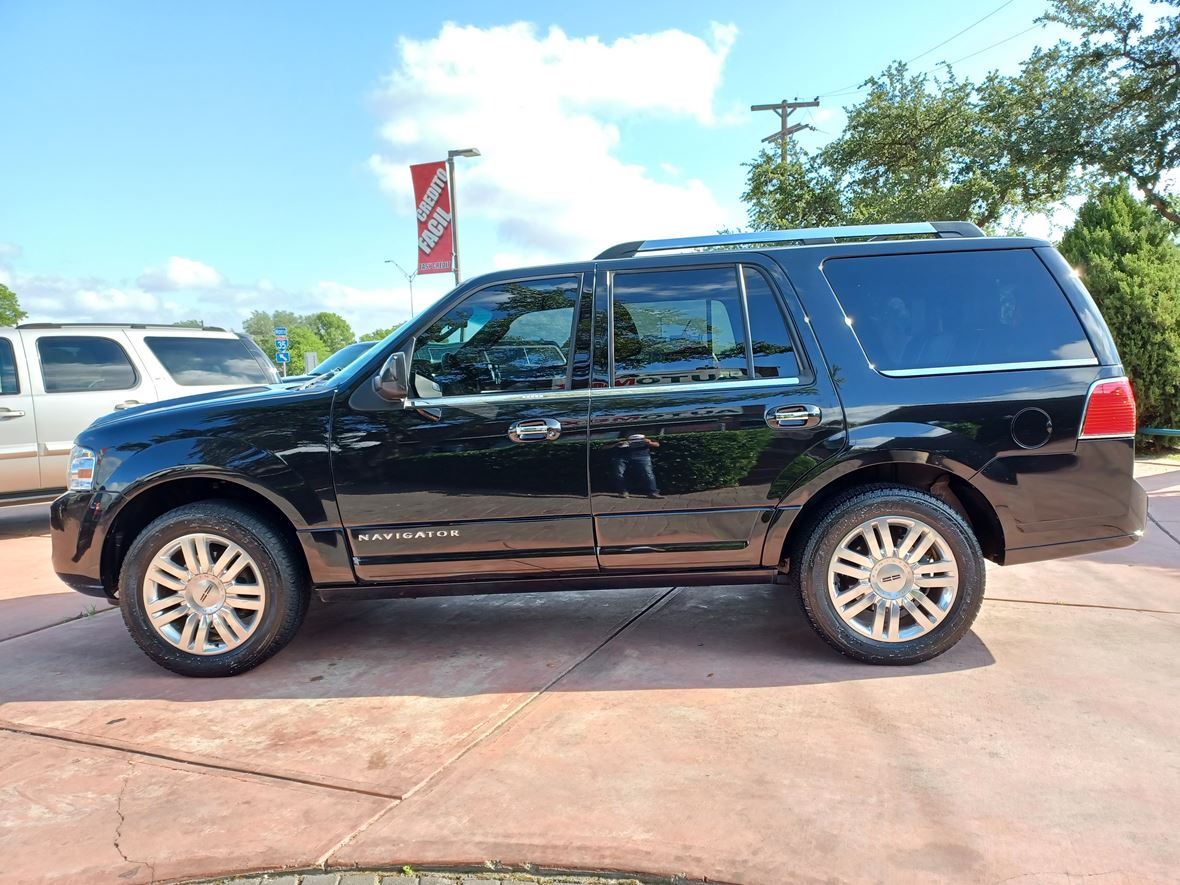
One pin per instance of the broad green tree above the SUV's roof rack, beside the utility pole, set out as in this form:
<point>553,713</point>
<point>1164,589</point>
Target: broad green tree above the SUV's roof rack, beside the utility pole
<point>916,148</point>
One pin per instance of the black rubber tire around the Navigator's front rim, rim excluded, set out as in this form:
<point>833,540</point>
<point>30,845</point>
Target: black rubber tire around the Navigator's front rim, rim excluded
<point>280,569</point>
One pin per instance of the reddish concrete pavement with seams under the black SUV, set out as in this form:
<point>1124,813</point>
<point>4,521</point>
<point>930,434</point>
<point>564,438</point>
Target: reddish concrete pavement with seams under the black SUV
<point>704,732</point>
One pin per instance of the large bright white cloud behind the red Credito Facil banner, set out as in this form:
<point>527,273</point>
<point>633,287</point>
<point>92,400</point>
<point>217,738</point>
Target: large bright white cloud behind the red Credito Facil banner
<point>546,110</point>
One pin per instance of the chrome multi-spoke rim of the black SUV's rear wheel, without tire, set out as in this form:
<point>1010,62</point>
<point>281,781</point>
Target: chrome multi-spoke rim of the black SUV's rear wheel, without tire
<point>893,579</point>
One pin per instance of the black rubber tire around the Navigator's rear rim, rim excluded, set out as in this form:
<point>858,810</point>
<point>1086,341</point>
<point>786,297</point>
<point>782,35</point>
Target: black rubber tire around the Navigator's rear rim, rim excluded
<point>814,554</point>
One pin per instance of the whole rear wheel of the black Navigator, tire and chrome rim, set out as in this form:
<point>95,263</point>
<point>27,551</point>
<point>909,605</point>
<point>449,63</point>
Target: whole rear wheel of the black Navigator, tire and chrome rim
<point>891,575</point>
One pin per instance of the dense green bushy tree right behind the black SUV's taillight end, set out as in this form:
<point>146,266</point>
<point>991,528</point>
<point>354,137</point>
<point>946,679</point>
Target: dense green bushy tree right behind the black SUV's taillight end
<point>1131,264</point>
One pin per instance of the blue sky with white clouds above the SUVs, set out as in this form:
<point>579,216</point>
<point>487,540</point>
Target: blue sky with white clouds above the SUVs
<point>172,161</point>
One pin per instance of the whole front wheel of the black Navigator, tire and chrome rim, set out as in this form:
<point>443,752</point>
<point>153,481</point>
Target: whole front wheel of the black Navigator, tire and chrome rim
<point>212,589</point>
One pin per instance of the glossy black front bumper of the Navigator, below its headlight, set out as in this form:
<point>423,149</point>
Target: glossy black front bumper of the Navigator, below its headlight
<point>77,530</point>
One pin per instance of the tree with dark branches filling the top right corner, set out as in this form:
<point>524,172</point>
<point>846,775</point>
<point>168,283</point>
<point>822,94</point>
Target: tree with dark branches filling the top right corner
<point>1130,121</point>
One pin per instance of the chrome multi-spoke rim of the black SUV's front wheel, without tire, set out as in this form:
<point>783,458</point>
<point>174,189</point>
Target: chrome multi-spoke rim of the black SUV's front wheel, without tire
<point>205,594</point>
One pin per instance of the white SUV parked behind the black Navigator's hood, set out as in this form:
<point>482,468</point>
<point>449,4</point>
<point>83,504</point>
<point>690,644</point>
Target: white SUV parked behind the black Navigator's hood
<point>57,378</point>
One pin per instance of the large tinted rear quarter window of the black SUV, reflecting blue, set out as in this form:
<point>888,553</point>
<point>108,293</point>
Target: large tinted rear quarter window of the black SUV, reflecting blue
<point>956,310</point>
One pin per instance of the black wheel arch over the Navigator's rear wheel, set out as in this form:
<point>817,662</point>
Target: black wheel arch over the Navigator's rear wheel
<point>945,480</point>
